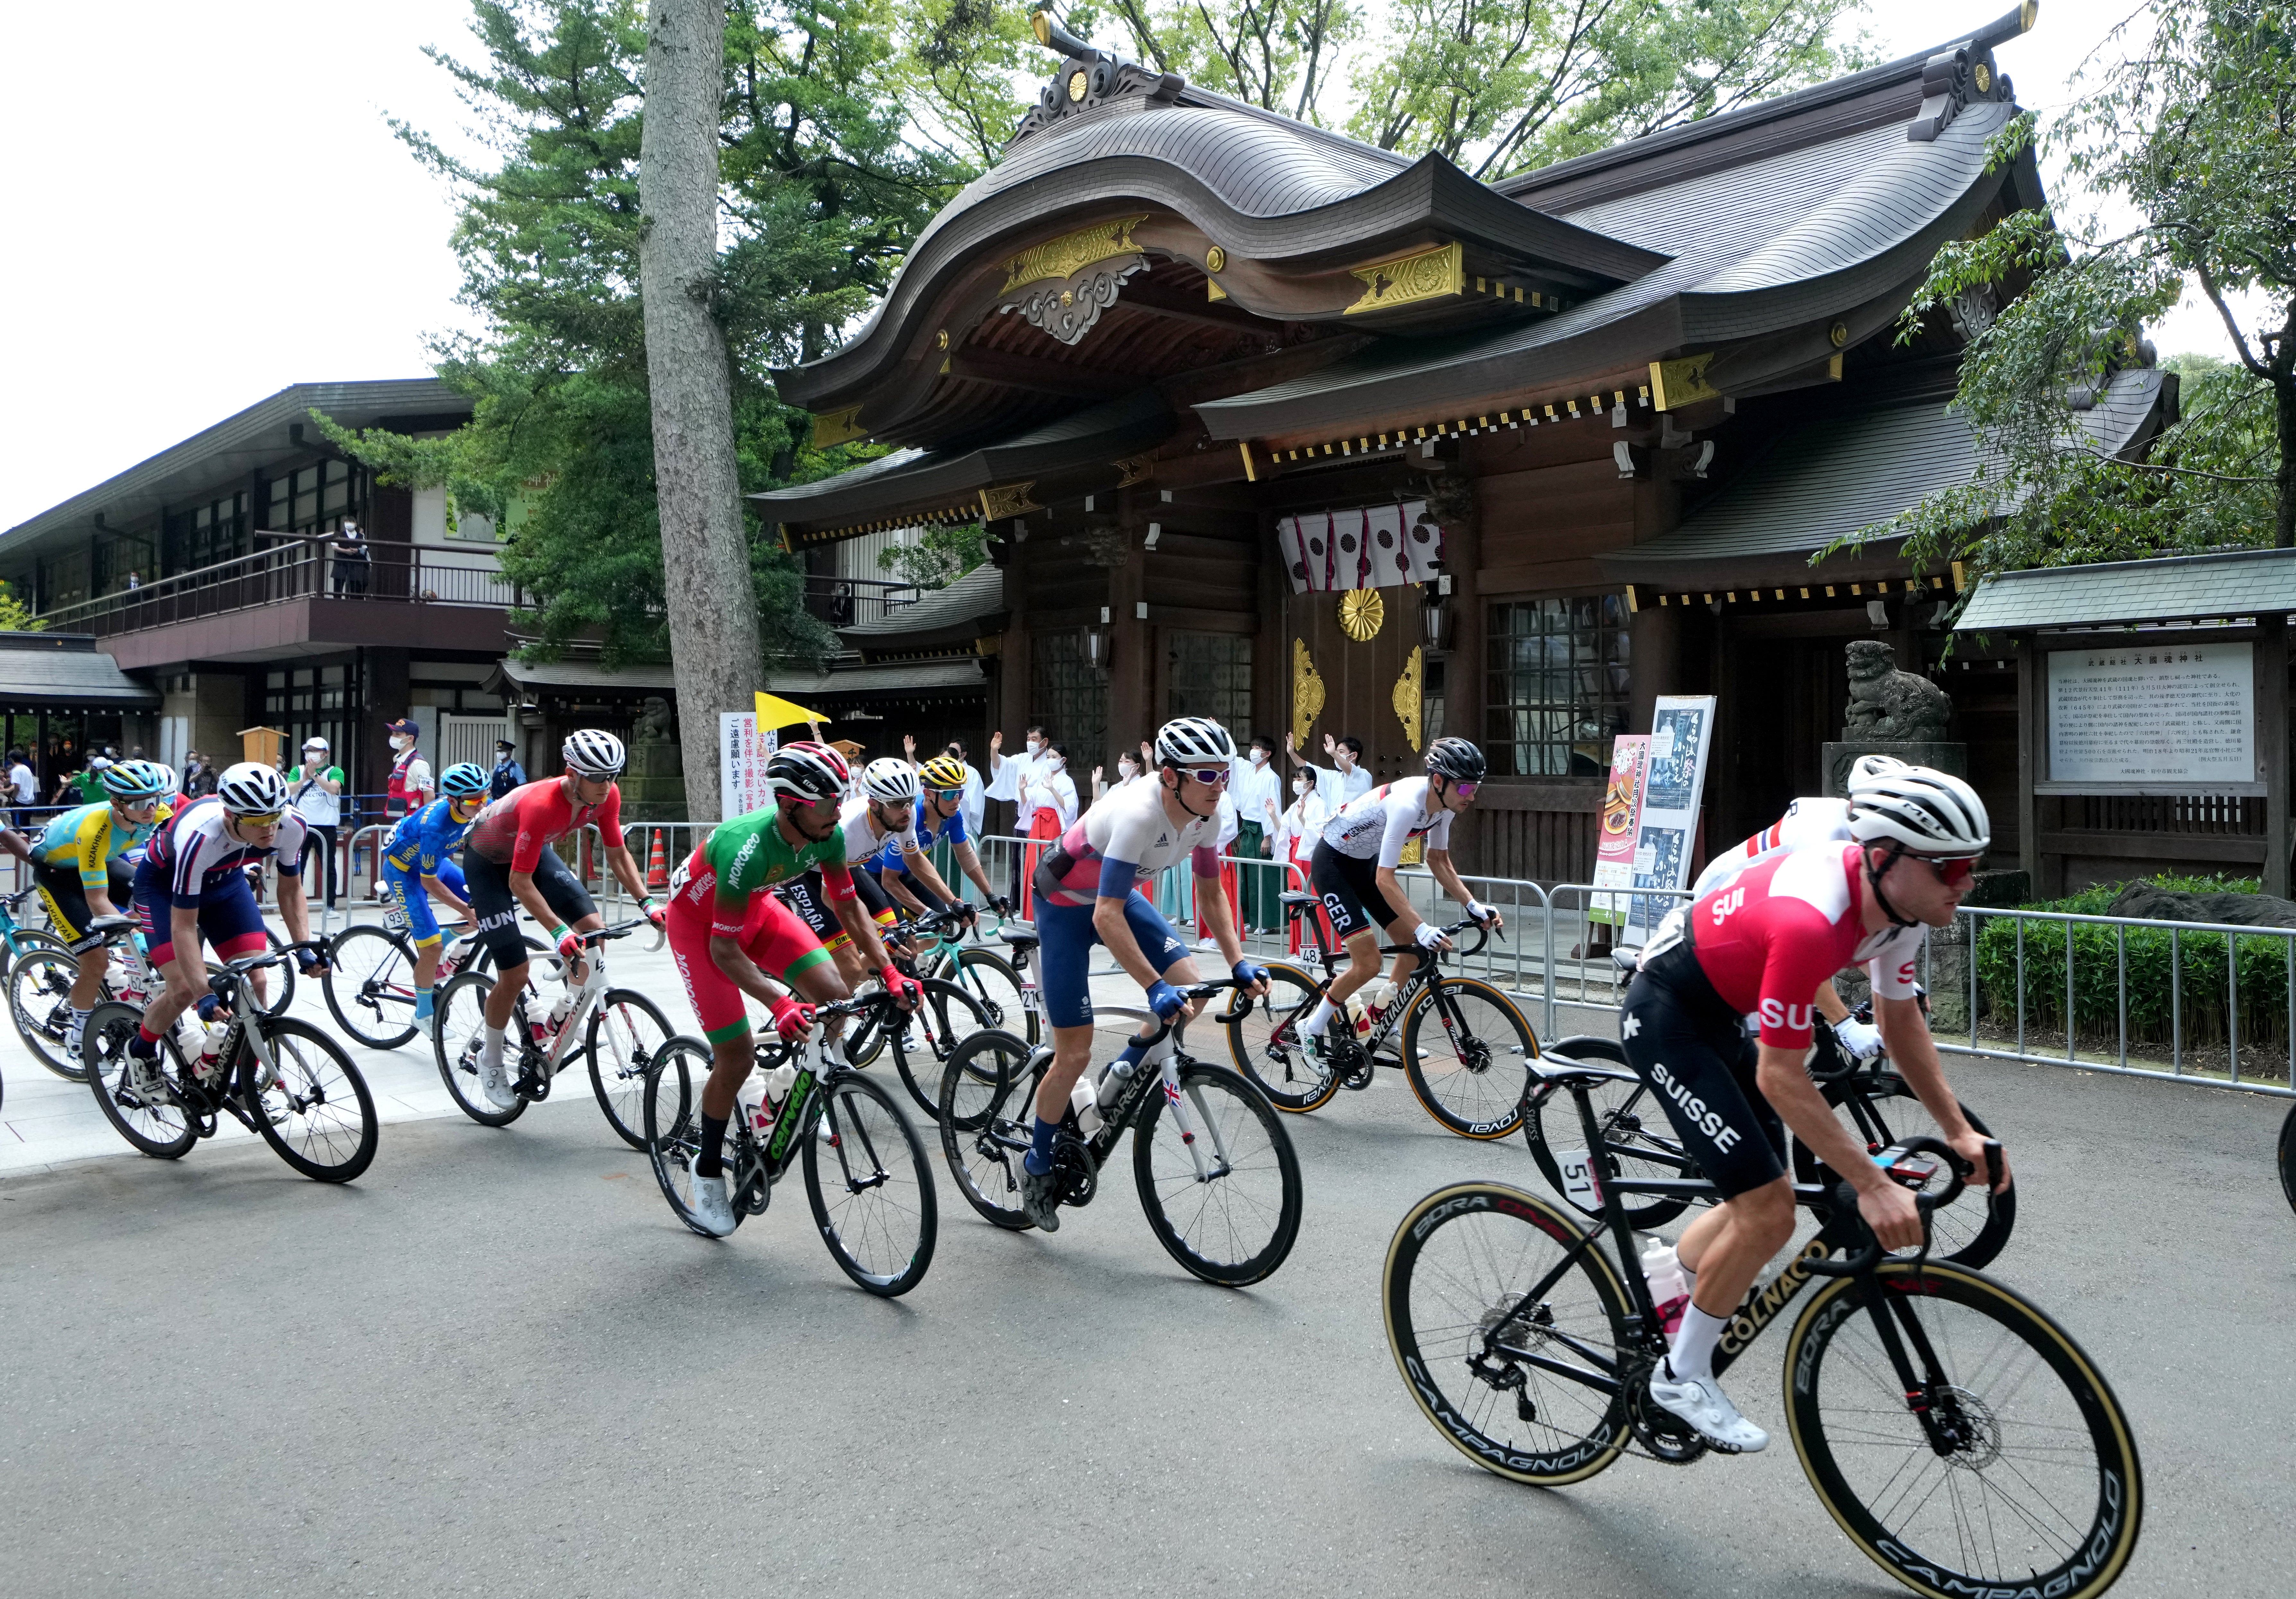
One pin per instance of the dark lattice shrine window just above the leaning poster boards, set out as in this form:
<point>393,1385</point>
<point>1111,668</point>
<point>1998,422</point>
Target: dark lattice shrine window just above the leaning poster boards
<point>1558,686</point>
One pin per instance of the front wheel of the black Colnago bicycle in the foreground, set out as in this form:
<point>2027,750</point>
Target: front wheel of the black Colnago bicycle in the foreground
<point>1999,1462</point>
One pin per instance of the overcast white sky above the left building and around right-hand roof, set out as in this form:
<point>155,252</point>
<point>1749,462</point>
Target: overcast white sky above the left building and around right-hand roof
<point>215,208</point>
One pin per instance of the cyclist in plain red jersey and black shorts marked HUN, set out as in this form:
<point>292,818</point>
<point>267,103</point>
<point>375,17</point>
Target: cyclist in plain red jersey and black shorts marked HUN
<point>509,865</point>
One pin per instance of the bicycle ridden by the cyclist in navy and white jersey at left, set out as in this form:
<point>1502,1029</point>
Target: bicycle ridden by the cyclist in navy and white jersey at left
<point>279,1076</point>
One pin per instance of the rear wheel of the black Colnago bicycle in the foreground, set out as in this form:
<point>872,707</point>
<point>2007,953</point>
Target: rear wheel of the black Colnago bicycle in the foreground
<point>1544,1405</point>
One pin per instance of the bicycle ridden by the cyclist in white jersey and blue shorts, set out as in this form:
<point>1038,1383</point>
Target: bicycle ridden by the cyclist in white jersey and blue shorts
<point>1211,1159</point>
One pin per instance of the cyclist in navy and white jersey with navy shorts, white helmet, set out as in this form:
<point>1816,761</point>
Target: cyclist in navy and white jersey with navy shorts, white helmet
<point>194,886</point>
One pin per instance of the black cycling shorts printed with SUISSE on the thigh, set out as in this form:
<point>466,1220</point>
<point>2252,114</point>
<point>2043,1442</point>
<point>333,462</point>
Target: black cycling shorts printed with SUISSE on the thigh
<point>1698,1058</point>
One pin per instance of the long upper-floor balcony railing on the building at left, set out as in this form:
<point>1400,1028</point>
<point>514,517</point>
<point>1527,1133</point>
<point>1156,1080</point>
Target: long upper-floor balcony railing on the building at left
<point>302,571</point>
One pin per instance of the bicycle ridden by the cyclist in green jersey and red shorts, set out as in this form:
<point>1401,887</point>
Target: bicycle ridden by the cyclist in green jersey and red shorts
<point>867,1173</point>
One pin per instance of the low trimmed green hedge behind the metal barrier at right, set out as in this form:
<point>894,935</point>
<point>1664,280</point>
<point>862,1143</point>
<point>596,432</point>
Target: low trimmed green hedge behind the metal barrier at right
<point>2263,973</point>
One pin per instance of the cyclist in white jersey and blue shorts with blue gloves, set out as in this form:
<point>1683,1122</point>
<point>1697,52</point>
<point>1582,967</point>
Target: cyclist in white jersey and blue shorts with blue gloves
<point>1087,893</point>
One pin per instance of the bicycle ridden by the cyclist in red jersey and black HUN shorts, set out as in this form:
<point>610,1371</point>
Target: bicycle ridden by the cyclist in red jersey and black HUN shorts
<point>619,1028</point>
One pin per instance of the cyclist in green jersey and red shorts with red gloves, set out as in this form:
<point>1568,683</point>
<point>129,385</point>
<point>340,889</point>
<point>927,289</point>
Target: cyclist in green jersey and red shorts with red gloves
<point>731,936</point>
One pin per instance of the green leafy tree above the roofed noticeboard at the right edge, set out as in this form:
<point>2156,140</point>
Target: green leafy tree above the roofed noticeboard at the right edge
<point>2189,139</point>
